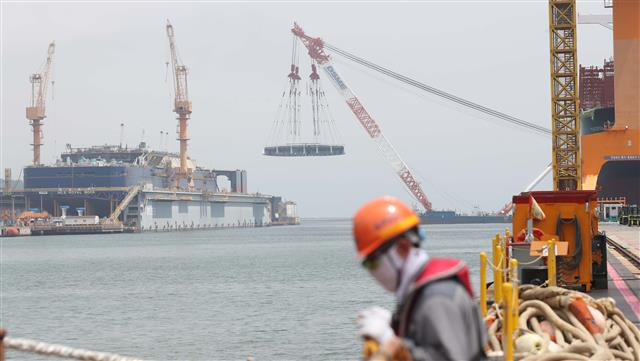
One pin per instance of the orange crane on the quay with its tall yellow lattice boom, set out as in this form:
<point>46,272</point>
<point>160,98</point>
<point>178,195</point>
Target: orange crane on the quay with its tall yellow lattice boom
<point>567,214</point>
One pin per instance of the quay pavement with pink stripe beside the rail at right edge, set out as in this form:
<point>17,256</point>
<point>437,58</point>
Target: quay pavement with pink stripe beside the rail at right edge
<point>623,258</point>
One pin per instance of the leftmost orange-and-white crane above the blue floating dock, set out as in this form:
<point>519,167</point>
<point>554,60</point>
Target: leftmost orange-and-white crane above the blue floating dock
<point>36,108</point>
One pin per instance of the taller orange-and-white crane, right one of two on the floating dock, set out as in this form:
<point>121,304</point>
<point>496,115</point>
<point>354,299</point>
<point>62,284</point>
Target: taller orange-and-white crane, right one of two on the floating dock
<point>181,104</point>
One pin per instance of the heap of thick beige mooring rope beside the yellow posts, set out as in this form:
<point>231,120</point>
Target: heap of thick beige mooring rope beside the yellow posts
<point>567,338</point>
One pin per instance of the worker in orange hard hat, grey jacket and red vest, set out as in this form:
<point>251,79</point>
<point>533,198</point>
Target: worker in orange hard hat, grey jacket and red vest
<point>436,317</point>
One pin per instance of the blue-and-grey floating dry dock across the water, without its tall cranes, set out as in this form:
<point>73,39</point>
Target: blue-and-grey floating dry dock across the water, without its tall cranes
<point>139,189</point>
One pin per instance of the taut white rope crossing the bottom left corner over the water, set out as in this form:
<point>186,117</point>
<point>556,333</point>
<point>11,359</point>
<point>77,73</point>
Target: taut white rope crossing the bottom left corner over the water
<point>43,348</point>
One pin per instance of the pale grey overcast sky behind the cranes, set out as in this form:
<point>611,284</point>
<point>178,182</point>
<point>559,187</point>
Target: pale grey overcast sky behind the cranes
<point>110,69</point>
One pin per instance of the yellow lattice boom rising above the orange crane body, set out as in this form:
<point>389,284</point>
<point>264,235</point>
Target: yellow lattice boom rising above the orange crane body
<point>564,95</point>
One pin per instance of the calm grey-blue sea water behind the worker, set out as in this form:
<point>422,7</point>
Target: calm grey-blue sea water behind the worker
<point>278,293</point>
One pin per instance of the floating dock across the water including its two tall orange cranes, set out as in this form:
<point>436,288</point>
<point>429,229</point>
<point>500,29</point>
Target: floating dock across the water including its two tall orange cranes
<point>114,188</point>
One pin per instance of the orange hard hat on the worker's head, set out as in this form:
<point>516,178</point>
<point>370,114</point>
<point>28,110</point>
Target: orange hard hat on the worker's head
<point>379,221</point>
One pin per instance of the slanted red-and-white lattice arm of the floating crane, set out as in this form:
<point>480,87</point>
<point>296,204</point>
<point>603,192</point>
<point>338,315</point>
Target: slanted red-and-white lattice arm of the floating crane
<point>316,51</point>
